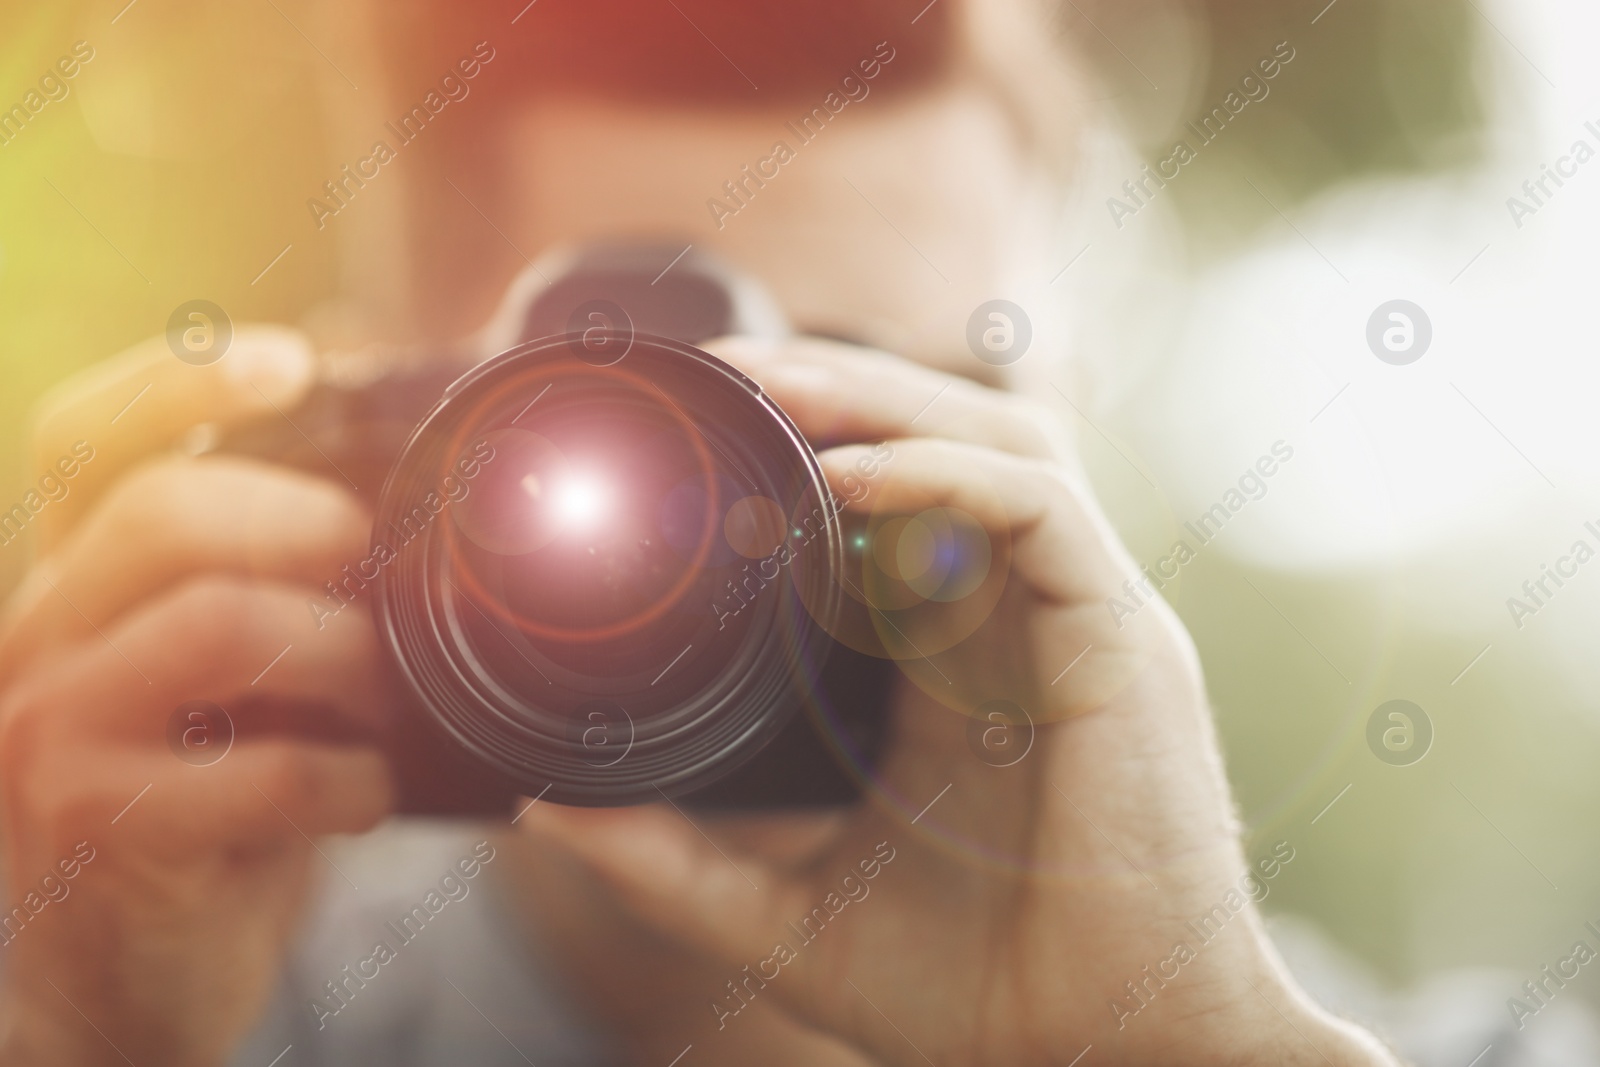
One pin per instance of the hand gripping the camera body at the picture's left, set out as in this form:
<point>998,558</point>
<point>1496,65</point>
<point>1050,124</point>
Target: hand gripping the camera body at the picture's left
<point>166,580</point>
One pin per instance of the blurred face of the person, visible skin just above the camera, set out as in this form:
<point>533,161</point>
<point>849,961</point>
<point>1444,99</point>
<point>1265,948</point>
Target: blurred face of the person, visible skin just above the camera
<point>890,226</point>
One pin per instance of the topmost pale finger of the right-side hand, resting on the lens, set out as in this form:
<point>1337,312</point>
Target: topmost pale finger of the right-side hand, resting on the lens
<point>839,393</point>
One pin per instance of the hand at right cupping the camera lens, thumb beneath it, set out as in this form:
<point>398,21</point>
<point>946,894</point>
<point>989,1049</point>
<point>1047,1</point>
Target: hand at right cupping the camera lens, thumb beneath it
<point>1010,906</point>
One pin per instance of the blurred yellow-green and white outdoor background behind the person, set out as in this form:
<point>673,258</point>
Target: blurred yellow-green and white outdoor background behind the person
<point>1223,314</point>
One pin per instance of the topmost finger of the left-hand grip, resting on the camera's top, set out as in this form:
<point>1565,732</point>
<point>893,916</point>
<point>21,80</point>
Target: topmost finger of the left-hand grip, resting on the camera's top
<point>146,399</point>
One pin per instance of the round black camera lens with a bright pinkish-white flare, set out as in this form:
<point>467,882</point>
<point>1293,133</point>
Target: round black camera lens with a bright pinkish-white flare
<point>609,581</point>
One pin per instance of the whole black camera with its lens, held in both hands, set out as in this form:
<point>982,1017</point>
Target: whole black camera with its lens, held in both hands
<point>606,567</point>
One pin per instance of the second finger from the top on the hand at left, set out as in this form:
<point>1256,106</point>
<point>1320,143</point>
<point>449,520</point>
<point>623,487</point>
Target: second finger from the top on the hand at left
<point>182,518</point>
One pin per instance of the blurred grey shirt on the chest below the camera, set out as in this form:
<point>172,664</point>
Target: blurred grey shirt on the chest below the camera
<point>455,981</point>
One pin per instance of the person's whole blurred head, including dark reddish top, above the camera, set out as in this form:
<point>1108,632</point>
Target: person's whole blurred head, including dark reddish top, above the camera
<point>838,151</point>
